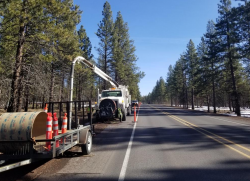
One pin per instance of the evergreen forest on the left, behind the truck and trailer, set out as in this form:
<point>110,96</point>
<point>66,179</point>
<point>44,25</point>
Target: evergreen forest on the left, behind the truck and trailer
<point>38,41</point>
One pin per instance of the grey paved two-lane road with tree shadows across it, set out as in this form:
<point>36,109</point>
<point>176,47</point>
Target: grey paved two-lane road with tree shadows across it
<point>166,144</point>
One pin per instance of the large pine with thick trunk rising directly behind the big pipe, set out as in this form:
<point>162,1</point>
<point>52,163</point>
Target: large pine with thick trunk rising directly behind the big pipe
<point>21,19</point>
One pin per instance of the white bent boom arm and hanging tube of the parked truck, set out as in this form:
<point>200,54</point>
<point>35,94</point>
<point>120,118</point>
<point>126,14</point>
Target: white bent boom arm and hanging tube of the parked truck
<point>95,70</point>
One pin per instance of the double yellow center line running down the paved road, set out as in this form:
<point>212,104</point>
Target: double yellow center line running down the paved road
<point>198,129</point>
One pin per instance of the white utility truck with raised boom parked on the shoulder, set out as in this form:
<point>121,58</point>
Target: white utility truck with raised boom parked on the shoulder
<point>114,102</point>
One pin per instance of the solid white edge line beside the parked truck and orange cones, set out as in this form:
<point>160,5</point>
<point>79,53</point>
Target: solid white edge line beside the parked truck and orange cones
<point>126,159</point>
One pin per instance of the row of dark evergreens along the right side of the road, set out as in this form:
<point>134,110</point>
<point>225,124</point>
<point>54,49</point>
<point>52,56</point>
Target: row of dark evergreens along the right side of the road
<point>216,72</point>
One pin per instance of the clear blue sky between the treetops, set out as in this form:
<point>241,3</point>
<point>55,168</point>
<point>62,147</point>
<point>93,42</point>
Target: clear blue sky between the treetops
<point>160,29</point>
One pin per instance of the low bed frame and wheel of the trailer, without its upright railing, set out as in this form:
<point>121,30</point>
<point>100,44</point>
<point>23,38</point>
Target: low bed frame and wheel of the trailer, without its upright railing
<point>81,137</point>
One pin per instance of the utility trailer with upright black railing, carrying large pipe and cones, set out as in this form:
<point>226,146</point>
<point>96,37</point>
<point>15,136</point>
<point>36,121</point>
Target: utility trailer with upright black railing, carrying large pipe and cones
<point>35,149</point>
